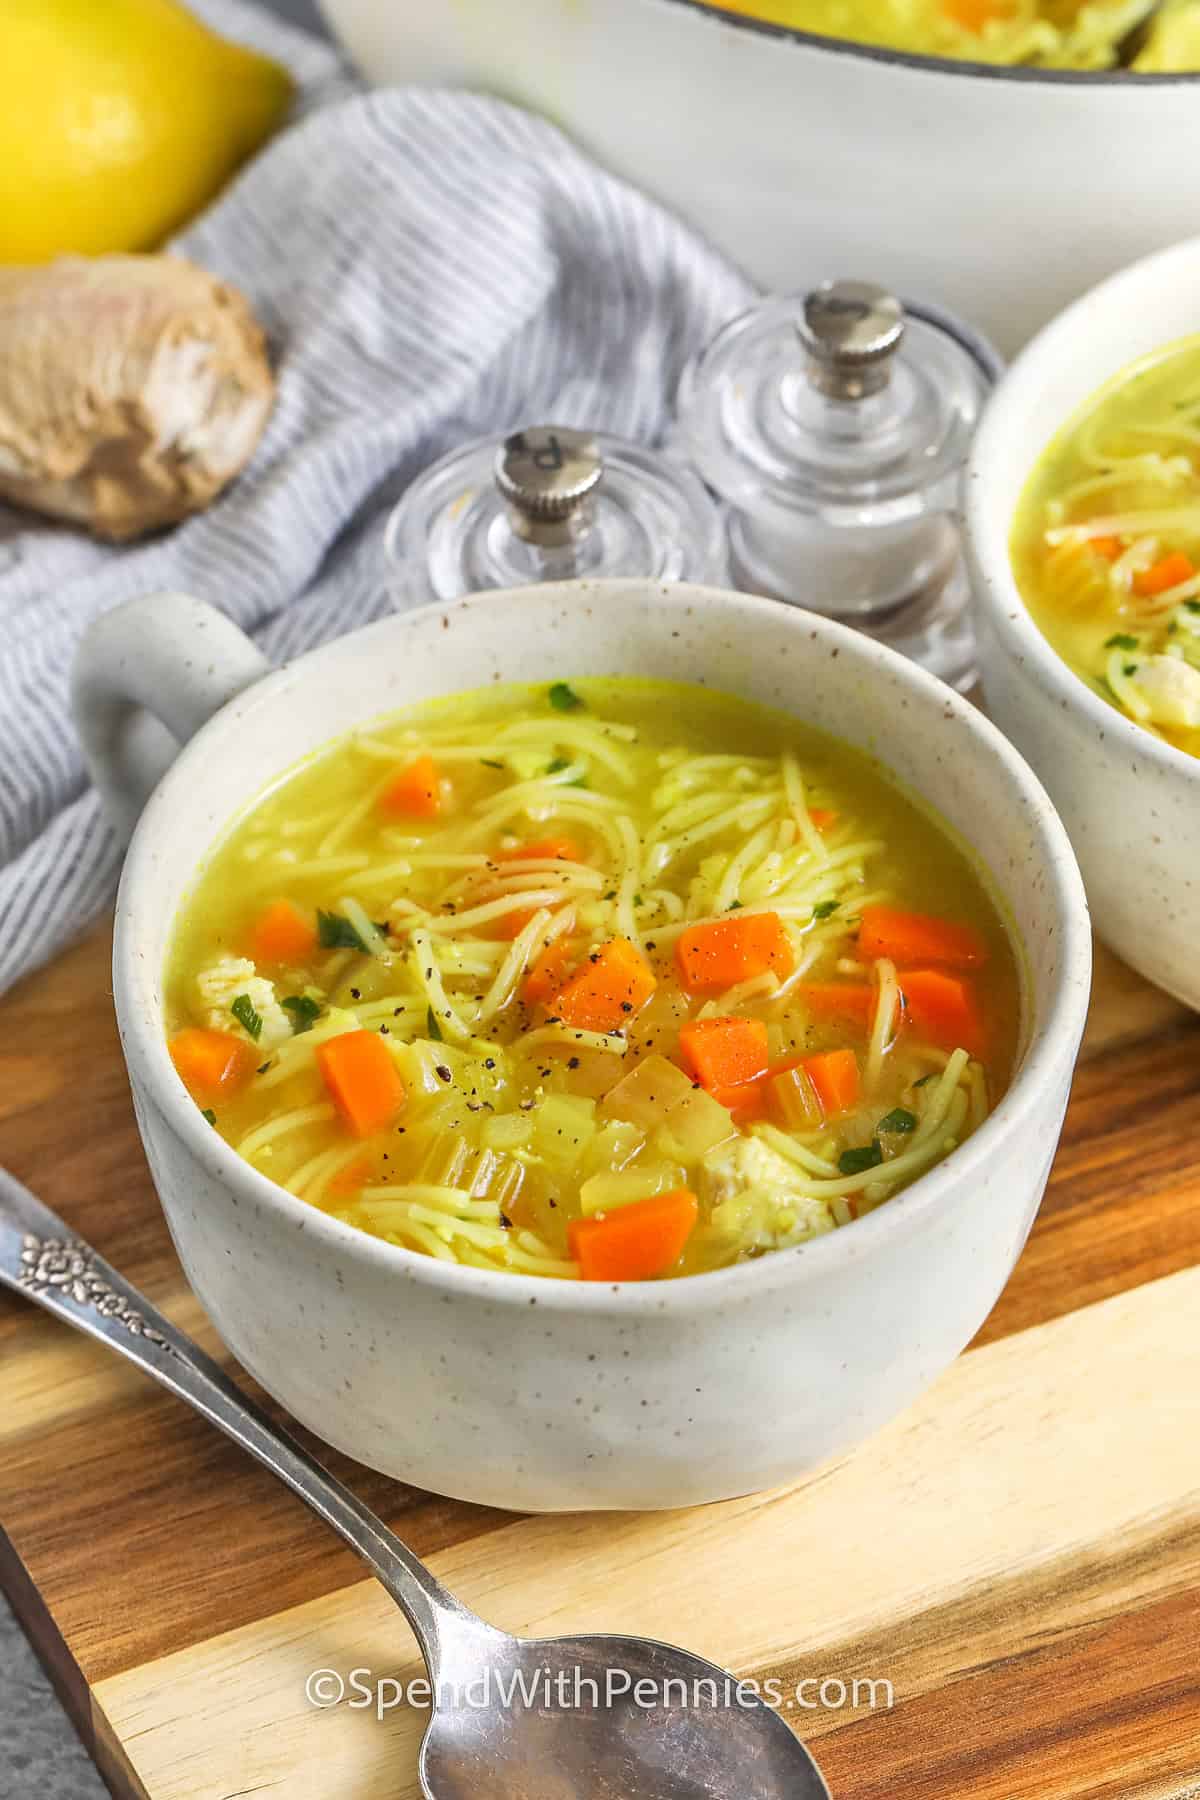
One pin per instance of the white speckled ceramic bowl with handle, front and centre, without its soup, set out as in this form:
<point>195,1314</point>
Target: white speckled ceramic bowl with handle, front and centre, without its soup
<point>537,1394</point>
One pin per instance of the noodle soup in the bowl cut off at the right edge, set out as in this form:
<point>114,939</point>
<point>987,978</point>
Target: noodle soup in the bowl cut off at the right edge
<point>1107,544</point>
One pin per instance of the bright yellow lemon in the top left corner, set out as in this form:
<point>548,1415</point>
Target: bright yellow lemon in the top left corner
<point>120,120</point>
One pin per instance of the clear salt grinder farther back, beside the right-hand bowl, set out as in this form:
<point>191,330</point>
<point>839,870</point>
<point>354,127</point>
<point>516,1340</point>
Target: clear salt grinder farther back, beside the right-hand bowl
<point>836,427</point>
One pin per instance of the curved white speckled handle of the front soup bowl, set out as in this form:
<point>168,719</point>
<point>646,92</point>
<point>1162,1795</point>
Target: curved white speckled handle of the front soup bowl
<point>147,678</point>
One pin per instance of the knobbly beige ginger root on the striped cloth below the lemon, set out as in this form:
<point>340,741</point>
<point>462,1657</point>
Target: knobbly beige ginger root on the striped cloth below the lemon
<point>132,390</point>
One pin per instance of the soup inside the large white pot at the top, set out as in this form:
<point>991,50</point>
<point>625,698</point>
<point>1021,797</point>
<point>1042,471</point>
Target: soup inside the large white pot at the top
<point>1035,33</point>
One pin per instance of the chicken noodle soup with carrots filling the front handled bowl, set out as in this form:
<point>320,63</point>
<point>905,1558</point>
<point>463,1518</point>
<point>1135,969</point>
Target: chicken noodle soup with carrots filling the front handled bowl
<point>607,980</point>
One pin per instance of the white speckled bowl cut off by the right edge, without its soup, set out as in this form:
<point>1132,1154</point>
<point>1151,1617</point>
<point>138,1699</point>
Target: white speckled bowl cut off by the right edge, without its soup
<point>1129,802</point>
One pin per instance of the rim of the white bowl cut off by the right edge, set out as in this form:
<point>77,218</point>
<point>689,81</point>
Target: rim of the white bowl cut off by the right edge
<point>989,535</point>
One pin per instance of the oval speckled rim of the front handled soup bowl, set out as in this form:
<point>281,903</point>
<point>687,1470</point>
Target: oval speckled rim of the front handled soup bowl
<point>1053,1041</point>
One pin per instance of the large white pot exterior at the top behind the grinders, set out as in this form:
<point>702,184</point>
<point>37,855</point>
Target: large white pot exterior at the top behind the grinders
<point>998,193</point>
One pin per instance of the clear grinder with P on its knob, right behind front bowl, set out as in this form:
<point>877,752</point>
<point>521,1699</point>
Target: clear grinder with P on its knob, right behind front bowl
<point>550,505</point>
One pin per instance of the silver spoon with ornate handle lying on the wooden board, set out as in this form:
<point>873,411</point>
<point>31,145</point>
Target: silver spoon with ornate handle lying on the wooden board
<point>539,1734</point>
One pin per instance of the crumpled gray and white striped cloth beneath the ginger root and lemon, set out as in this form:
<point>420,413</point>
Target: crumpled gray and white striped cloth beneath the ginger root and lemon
<point>429,267</point>
